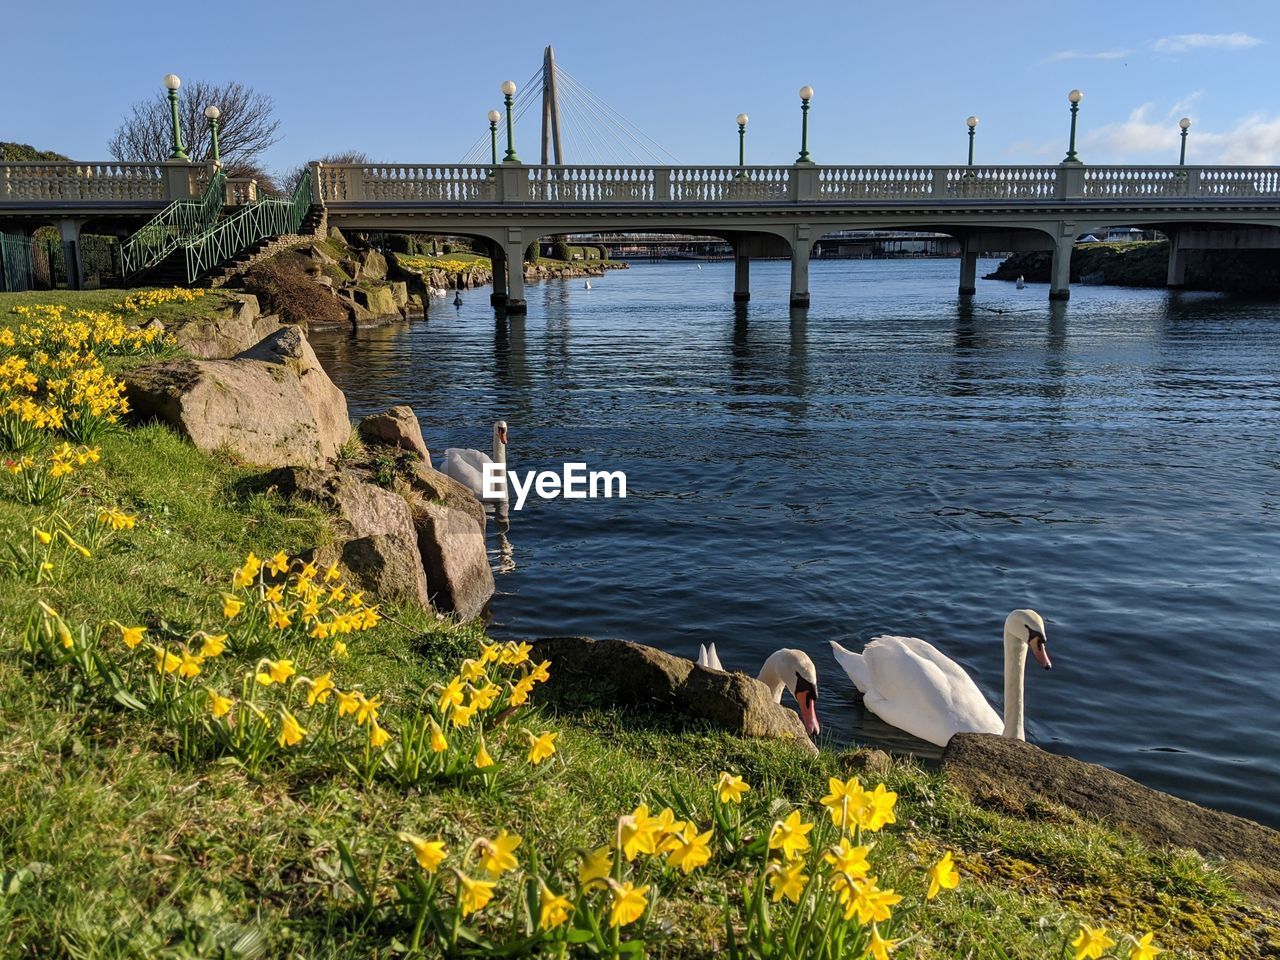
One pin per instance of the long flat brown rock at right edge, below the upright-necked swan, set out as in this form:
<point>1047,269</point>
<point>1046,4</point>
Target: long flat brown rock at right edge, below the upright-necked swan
<point>1014,775</point>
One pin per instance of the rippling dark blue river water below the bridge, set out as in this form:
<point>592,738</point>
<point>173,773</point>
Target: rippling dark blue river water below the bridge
<point>895,461</point>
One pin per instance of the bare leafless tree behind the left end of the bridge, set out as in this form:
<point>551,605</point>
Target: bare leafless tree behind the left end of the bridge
<point>246,129</point>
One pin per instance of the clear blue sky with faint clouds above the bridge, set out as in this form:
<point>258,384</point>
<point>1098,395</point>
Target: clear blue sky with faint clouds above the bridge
<point>894,81</point>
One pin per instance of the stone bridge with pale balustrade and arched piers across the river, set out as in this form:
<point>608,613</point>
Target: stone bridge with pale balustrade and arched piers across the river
<point>758,211</point>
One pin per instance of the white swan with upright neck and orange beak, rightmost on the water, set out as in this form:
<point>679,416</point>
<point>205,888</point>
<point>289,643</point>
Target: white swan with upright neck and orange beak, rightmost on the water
<point>913,687</point>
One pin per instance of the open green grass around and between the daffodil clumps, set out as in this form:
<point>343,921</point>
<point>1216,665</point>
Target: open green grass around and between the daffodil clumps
<point>109,848</point>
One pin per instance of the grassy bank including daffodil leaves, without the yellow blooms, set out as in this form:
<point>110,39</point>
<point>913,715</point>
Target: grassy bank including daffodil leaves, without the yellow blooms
<point>135,825</point>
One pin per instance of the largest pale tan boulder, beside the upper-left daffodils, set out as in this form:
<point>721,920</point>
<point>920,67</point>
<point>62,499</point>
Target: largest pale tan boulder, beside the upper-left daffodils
<point>269,406</point>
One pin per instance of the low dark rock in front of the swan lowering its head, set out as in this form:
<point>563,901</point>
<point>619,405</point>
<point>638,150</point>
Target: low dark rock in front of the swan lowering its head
<point>633,675</point>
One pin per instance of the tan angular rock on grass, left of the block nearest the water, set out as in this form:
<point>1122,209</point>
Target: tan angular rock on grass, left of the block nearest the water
<point>378,542</point>
